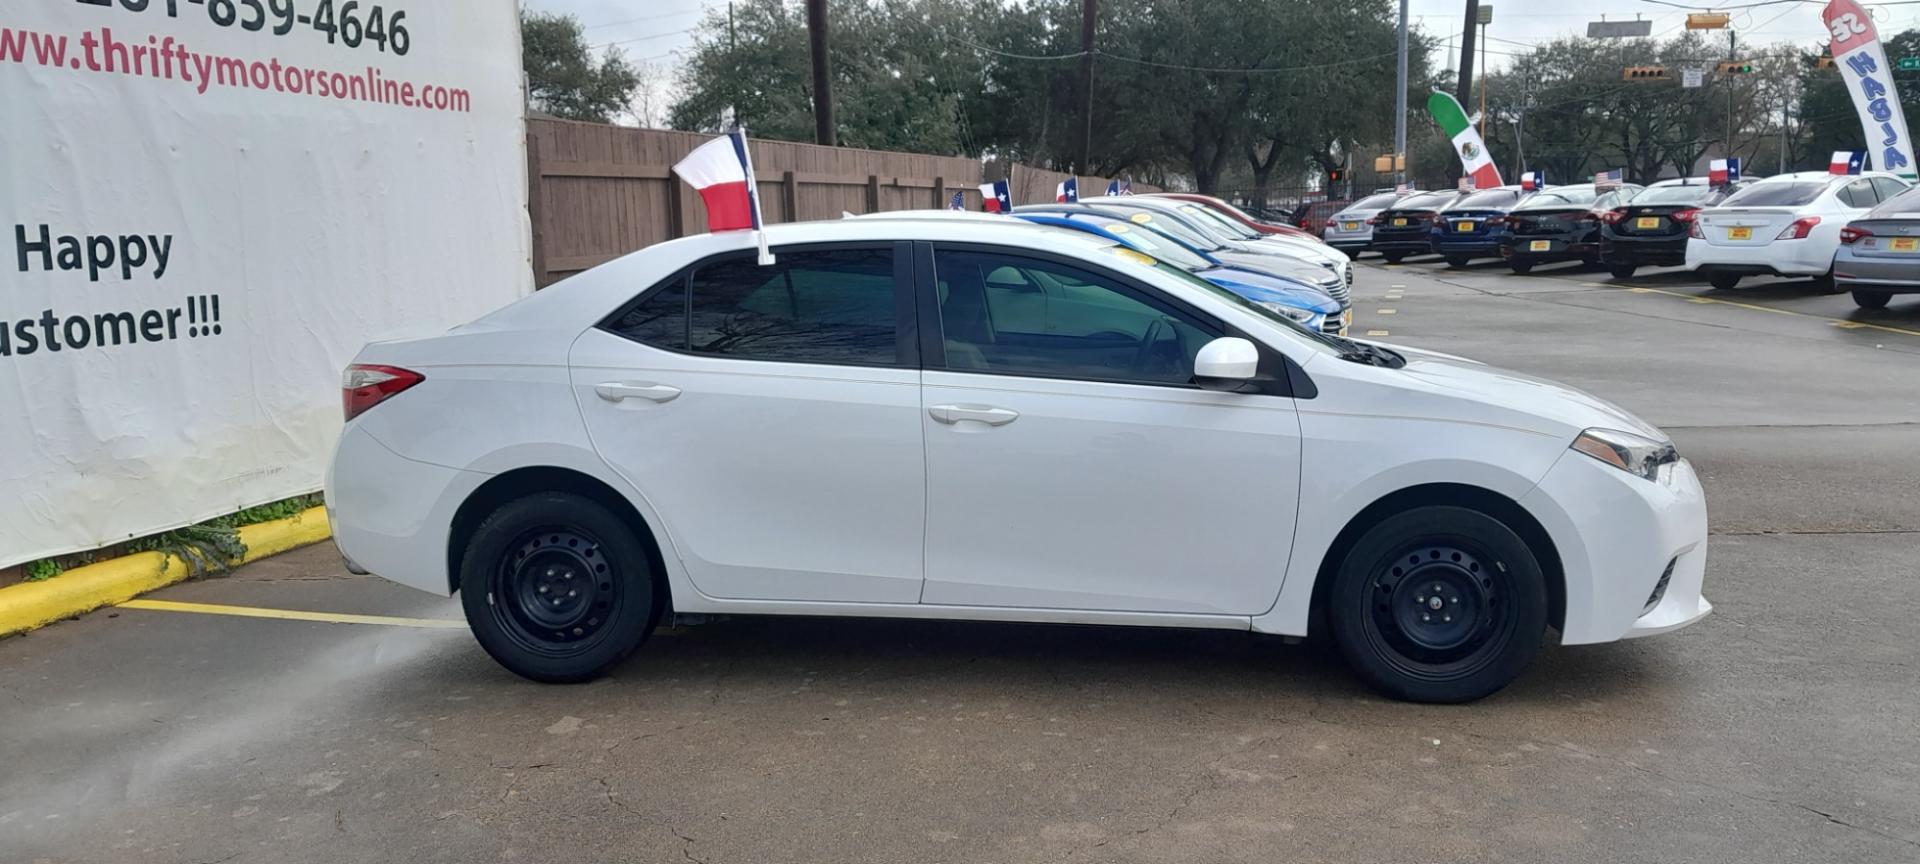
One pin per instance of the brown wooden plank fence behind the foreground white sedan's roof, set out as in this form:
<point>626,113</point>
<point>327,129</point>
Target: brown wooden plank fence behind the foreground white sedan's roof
<point>598,193</point>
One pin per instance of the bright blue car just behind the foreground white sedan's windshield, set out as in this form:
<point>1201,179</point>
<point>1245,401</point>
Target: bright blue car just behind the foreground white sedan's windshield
<point>1299,302</point>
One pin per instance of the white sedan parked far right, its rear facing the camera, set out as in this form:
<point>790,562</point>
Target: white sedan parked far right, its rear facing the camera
<point>1785,226</point>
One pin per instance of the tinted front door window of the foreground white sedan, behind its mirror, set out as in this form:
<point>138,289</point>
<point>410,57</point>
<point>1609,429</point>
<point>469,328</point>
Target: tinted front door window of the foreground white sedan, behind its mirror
<point>1017,316</point>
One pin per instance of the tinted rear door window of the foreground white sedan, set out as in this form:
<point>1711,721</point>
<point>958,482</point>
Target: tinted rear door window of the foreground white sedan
<point>809,308</point>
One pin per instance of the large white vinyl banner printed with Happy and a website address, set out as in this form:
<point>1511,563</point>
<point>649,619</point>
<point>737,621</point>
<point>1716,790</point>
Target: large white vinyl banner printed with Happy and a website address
<point>206,208</point>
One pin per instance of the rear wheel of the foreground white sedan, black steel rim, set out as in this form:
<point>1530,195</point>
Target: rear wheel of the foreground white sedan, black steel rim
<point>569,552</point>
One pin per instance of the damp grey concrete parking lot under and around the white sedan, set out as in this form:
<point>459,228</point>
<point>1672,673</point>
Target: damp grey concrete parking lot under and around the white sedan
<point>1779,731</point>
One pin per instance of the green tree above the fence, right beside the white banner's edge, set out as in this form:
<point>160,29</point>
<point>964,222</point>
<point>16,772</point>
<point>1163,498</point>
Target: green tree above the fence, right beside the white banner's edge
<point>562,76</point>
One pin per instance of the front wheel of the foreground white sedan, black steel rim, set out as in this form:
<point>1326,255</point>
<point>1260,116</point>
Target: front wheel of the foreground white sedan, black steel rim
<point>1491,594</point>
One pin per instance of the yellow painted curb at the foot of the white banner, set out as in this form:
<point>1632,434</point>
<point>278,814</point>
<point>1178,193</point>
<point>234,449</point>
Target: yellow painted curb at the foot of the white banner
<point>110,583</point>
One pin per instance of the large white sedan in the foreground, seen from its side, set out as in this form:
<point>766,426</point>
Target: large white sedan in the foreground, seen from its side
<point>878,425</point>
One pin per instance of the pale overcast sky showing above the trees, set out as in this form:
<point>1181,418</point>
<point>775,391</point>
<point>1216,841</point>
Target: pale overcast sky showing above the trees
<point>656,34</point>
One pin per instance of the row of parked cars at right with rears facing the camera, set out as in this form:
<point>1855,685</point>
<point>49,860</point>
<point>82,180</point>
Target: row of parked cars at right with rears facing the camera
<point>1858,233</point>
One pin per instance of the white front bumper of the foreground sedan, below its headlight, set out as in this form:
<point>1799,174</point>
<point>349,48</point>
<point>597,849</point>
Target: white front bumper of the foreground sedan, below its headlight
<point>1616,537</point>
